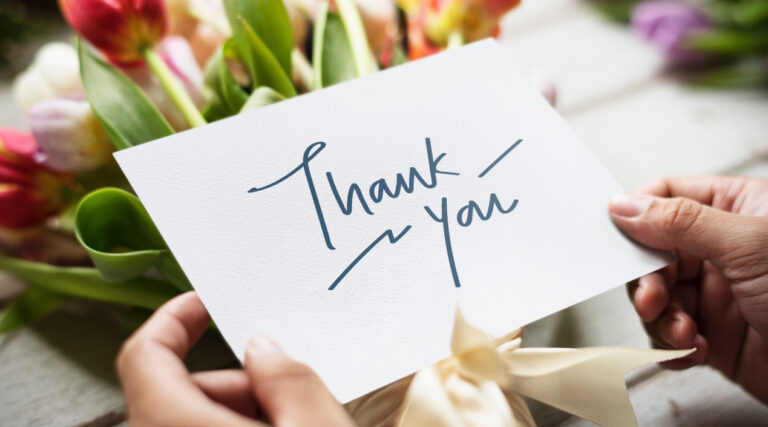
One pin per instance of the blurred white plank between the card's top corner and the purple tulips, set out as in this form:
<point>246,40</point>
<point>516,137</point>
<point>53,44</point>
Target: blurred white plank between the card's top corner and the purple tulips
<point>590,59</point>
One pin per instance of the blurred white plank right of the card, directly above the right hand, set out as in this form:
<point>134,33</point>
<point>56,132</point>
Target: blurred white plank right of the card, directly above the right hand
<point>671,129</point>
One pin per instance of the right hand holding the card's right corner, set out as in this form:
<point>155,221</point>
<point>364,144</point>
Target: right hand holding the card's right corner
<point>715,297</point>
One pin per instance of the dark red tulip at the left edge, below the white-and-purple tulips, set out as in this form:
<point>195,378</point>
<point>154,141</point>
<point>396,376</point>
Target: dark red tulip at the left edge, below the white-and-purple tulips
<point>29,192</point>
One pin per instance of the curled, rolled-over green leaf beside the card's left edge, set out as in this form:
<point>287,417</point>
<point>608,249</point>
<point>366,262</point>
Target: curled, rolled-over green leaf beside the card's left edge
<point>123,242</point>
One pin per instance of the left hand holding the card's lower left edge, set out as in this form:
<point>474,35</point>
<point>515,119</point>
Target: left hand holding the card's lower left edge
<point>160,391</point>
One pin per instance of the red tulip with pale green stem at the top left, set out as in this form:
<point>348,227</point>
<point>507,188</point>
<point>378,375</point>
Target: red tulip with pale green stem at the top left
<point>126,32</point>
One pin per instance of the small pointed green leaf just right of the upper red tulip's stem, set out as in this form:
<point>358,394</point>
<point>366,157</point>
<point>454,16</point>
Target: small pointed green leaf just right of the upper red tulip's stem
<point>223,95</point>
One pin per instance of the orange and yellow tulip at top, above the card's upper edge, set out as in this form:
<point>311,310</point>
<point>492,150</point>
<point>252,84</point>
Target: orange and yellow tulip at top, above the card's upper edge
<point>438,23</point>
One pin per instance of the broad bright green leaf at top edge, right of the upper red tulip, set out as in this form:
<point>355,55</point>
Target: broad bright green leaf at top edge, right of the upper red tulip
<point>269,20</point>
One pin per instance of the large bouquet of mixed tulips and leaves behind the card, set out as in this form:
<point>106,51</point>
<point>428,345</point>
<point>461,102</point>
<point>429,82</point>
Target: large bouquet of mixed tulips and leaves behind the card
<point>143,69</point>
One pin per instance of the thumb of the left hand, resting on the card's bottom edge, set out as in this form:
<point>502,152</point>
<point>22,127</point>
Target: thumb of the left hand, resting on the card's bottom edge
<point>289,392</point>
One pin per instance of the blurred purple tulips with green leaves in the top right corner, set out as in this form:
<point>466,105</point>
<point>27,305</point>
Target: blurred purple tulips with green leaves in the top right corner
<point>719,43</point>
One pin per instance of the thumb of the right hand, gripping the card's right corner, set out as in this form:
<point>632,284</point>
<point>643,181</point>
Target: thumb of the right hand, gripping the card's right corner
<point>683,225</point>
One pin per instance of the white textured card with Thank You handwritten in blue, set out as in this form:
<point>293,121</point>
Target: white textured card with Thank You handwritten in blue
<point>367,298</point>
